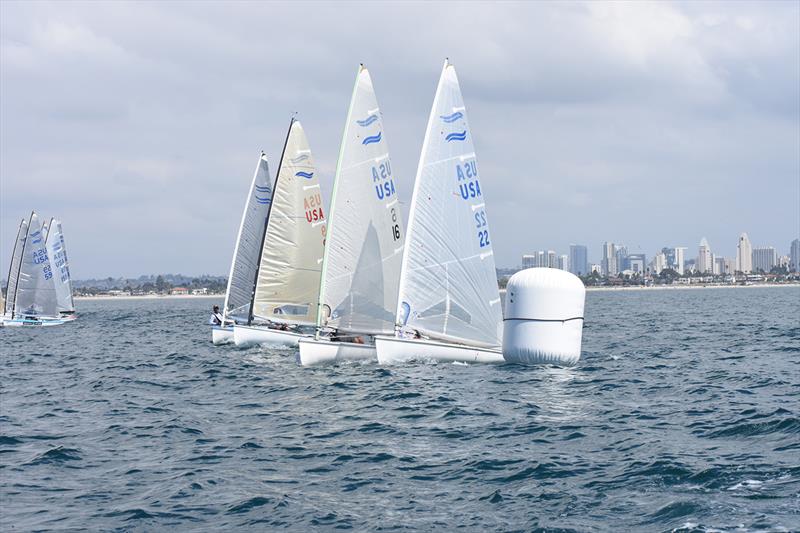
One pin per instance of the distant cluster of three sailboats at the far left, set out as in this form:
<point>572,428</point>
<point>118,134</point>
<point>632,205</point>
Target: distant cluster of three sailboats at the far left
<point>39,291</point>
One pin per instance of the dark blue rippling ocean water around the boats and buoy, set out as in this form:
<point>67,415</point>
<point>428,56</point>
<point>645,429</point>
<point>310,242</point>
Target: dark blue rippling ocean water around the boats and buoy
<point>683,414</point>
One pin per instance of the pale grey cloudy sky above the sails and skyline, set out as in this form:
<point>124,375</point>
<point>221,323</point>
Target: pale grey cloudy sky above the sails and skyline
<point>647,124</point>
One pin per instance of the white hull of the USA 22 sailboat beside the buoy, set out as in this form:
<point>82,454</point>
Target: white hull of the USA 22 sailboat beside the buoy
<point>391,350</point>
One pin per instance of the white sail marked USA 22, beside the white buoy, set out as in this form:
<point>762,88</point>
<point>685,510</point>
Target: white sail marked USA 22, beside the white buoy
<point>448,287</point>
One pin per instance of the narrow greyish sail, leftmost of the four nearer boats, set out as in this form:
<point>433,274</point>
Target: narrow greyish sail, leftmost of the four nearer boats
<point>242,278</point>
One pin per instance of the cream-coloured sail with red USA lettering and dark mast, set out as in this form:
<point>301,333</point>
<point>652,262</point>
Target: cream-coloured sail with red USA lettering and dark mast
<point>287,289</point>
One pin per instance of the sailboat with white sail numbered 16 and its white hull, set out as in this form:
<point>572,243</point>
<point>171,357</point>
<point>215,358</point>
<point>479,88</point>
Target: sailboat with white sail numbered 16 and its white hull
<point>361,265</point>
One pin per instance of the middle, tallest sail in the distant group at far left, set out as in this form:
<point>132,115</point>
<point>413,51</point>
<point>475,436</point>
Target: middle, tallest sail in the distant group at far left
<point>36,290</point>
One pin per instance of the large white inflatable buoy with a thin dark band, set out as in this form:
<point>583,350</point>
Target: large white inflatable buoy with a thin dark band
<point>543,321</point>
